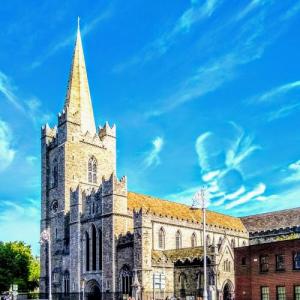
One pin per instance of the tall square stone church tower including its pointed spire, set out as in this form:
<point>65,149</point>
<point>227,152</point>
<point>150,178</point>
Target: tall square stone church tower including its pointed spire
<point>75,157</point>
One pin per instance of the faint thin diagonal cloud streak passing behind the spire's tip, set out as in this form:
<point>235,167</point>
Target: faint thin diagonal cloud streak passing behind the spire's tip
<point>68,40</point>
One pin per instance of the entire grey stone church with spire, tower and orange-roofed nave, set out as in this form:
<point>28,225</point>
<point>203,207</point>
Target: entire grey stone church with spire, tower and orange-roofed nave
<point>108,240</point>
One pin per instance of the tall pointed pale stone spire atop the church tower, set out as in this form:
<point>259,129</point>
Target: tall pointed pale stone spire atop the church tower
<point>78,100</point>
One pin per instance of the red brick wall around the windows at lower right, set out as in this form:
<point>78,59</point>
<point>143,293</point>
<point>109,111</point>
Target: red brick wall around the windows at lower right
<point>249,279</point>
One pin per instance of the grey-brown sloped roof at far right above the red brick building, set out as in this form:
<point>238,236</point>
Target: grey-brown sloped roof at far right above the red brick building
<point>273,220</point>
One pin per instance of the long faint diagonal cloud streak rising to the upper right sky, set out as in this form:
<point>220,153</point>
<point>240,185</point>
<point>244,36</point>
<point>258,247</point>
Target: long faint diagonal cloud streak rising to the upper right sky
<point>247,44</point>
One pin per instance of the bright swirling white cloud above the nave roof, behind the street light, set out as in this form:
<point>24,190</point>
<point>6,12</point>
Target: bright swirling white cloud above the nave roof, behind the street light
<point>221,160</point>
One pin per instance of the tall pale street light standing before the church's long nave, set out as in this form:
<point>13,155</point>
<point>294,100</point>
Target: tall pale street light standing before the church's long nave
<point>201,199</point>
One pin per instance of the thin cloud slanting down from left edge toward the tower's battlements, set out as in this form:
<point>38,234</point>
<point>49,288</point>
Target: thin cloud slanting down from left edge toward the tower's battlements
<point>29,107</point>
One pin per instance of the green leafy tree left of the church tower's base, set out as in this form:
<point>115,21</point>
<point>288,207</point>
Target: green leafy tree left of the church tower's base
<point>18,266</point>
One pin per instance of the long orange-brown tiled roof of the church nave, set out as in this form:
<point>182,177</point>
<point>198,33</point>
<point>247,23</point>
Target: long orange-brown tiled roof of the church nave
<point>181,211</point>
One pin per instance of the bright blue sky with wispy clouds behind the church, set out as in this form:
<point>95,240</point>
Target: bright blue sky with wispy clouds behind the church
<point>202,92</point>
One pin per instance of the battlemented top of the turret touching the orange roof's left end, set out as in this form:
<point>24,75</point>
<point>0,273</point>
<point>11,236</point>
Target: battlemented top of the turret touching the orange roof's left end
<point>113,185</point>
